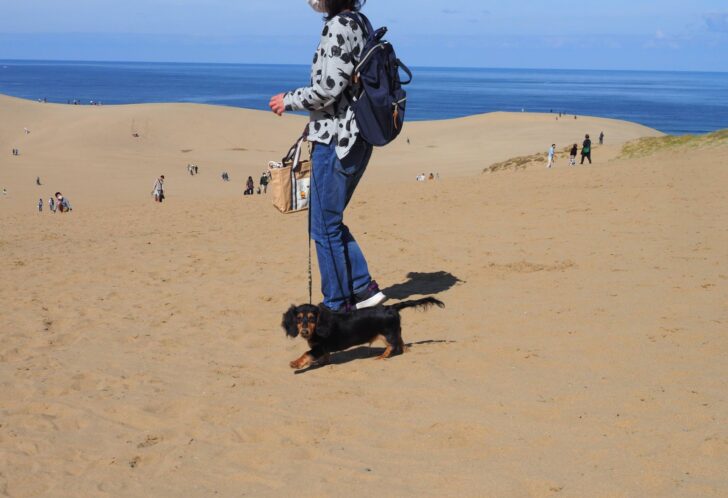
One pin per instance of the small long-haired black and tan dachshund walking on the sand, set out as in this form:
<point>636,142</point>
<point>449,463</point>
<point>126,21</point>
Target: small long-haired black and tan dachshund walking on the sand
<point>330,331</point>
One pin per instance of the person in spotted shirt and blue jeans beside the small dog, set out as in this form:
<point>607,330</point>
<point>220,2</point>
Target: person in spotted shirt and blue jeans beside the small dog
<point>339,156</point>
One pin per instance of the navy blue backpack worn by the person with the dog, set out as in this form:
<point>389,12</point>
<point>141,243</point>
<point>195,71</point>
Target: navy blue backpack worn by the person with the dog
<point>380,109</point>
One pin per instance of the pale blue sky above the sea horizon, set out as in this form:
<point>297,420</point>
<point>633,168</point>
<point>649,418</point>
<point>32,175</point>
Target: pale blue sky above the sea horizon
<point>608,34</point>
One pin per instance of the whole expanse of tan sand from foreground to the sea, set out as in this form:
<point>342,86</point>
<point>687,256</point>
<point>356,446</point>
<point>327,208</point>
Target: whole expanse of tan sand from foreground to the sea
<point>582,351</point>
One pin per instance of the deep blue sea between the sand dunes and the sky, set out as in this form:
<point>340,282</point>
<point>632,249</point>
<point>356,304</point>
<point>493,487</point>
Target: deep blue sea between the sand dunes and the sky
<point>673,102</point>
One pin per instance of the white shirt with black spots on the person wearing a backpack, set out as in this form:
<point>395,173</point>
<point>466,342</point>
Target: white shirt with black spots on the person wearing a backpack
<point>331,93</point>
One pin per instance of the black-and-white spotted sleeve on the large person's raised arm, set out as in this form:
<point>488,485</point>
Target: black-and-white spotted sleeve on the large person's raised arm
<point>333,67</point>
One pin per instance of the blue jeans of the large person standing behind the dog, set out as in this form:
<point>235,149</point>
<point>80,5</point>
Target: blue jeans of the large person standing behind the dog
<point>344,271</point>
